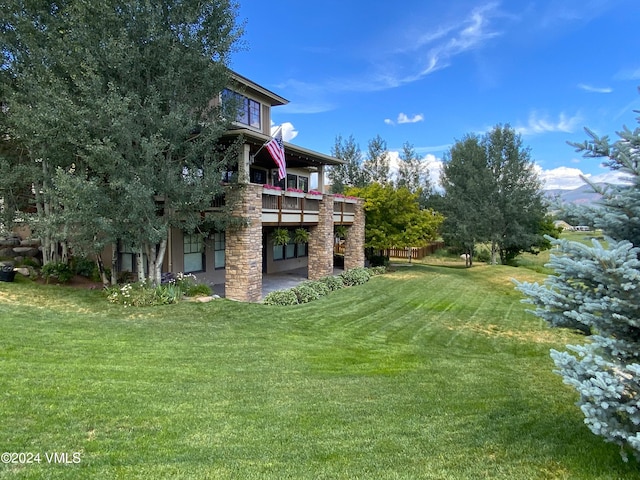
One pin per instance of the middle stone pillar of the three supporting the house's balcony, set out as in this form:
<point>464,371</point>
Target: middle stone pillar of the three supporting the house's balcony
<point>321,242</point>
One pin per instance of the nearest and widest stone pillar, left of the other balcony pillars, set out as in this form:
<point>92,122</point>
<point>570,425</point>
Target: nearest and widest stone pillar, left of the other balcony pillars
<point>243,246</point>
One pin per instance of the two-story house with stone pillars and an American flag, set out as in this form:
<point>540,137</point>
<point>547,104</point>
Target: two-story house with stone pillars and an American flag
<point>240,257</point>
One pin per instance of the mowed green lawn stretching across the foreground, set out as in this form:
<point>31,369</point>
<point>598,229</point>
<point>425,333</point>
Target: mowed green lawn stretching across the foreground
<point>431,371</point>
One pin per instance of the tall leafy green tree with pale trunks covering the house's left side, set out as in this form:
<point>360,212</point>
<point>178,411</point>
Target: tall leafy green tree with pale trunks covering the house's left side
<point>113,100</point>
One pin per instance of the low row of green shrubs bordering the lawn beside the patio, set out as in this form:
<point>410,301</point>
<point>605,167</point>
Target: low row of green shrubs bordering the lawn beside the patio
<point>314,289</point>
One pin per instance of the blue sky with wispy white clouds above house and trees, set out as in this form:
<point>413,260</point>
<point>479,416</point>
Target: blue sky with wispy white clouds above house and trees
<point>429,72</point>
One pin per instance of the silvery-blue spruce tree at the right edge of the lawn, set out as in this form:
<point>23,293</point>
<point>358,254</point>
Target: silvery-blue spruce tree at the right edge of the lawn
<point>597,290</point>
